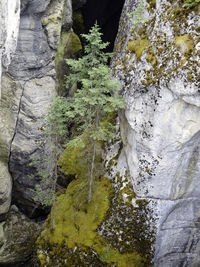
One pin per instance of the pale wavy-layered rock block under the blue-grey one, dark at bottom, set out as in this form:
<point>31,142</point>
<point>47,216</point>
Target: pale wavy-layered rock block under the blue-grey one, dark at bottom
<point>29,139</point>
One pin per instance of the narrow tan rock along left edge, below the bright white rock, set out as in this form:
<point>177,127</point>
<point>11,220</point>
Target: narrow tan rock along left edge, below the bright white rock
<point>8,111</point>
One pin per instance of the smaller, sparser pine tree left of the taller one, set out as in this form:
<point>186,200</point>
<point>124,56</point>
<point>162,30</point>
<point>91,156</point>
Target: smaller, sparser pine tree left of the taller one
<point>56,131</point>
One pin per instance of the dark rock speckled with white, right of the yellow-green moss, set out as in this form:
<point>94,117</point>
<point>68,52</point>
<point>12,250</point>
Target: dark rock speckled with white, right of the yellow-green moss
<point>128,226</point>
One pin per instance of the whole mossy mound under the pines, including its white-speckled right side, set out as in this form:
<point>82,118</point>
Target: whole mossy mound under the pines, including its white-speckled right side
<point>100,233</point>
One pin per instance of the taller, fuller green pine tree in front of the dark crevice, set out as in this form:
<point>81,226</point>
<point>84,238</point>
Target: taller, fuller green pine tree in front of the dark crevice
<point>96,96</point>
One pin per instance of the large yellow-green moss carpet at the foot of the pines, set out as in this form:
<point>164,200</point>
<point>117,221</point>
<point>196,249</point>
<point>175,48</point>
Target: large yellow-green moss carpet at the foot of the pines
<point>76,229</point>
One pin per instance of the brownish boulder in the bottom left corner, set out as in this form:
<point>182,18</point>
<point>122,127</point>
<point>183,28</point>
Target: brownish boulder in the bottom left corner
<point>17,237</point>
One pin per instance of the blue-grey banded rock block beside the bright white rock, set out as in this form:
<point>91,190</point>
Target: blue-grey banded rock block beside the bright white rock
<point>33,55</point>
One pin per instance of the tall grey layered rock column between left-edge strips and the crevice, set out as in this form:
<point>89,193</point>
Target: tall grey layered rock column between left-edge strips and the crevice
<point>34,68</point>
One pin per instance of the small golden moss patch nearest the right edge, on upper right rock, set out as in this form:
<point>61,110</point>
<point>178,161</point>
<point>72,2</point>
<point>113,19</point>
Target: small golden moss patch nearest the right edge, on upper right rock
<point>184,43</point>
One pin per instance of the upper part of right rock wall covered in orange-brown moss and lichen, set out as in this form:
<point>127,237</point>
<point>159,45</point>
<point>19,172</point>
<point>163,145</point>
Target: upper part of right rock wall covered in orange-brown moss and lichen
<point>163,49</point>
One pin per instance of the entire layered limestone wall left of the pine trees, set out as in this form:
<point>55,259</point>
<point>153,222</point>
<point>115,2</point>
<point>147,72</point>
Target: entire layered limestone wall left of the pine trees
<point>30,34</point>
